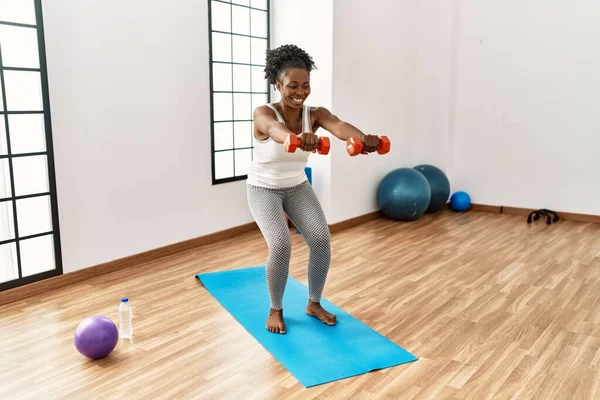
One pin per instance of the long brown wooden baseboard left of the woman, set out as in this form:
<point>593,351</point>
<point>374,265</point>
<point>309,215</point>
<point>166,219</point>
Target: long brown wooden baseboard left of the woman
<point>22,292</point>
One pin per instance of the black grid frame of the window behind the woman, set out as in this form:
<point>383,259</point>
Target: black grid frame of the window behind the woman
<point>211,62</point>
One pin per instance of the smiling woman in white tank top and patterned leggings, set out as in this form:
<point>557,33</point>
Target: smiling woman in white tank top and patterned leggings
<point>277,183</point>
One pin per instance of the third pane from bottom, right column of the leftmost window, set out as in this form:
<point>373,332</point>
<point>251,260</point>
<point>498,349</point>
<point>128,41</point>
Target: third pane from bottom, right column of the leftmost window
<point>31,175</point>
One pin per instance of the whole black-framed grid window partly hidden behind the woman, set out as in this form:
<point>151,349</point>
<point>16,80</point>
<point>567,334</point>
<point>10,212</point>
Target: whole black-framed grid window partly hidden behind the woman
<point>239,39</point>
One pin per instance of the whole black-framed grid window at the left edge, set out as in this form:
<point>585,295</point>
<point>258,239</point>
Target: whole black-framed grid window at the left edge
<point>29,237</point>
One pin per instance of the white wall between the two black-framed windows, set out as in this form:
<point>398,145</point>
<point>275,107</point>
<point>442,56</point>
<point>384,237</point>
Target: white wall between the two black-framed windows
<point>129,94</point>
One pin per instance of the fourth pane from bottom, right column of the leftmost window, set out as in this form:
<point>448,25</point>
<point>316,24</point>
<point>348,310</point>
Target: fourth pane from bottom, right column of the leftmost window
<point>27,133</point>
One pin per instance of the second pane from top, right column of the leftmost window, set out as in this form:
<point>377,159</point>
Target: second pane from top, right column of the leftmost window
<point>19,46</point>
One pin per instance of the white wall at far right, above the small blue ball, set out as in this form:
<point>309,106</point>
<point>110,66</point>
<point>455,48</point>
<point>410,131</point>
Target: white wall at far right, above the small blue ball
<point>523,111</point>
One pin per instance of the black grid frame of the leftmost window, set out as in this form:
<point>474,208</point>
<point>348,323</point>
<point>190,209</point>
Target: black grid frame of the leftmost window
<point>49,153</point>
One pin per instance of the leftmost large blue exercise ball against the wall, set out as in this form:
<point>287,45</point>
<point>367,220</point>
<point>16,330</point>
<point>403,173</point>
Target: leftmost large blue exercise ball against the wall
<point>404,194</point>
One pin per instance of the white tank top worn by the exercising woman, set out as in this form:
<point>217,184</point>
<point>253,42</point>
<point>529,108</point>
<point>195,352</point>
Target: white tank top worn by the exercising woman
<point>272,166</point>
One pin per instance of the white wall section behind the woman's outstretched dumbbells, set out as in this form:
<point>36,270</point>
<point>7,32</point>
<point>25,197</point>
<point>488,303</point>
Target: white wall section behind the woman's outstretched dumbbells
<point>374,89</point>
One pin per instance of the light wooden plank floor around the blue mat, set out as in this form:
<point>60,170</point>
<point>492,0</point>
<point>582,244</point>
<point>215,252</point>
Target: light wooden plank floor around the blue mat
<point>493,308</point>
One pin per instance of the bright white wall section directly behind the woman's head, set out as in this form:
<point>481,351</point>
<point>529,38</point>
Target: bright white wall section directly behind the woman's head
<point>316,41</point>
